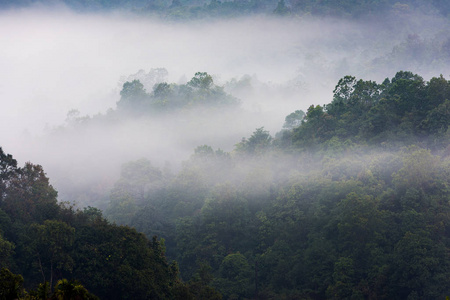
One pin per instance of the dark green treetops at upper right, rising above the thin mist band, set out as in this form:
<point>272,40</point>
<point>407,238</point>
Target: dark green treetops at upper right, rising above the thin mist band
<point>401,111</point>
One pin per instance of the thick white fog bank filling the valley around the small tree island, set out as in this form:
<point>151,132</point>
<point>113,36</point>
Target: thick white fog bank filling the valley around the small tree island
<point>54,60</point>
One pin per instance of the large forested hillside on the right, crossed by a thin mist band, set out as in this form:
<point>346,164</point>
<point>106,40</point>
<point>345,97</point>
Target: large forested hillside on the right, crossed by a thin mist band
<point>350,200</point>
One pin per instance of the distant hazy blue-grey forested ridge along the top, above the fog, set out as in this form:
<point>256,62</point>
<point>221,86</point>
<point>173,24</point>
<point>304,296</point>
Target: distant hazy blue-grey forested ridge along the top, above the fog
<point>201,9</point>
